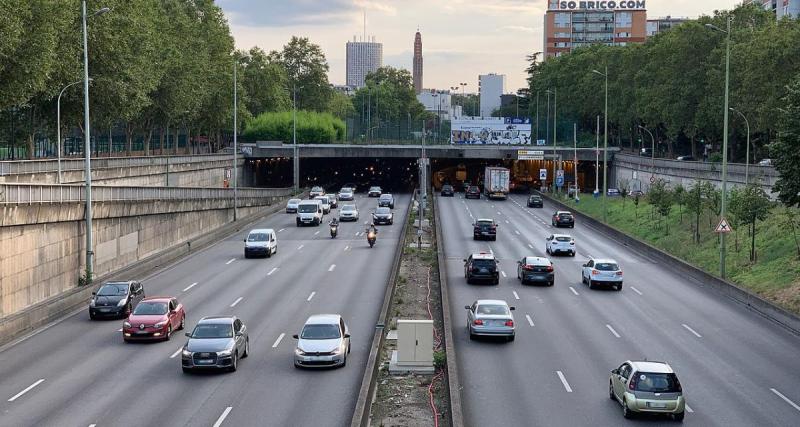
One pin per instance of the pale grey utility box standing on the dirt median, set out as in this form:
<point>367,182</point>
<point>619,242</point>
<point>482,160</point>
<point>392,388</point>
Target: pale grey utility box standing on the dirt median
<point>414,347</point>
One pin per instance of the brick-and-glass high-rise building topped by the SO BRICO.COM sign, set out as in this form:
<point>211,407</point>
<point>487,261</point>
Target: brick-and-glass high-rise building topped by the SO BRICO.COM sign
<point>573,24</point>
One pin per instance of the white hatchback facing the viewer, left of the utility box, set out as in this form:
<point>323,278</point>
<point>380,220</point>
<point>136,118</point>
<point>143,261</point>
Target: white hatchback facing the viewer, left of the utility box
<point>323,342</point>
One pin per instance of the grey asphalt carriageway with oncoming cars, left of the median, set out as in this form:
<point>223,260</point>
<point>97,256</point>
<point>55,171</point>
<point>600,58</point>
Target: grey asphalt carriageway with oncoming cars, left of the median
<point>80,373</point>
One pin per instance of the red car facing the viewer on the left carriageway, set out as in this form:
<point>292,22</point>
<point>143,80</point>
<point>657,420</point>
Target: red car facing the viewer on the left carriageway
<point>155,318</point>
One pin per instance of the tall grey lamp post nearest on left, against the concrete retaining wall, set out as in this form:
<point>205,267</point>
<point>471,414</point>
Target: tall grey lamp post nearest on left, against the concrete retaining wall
<point>87,144</point>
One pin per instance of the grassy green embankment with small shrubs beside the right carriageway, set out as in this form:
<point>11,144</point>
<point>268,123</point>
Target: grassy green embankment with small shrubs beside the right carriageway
<point>774,274</point>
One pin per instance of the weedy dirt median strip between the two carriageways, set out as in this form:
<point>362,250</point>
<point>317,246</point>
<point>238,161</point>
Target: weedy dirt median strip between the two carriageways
<point>403,400</point>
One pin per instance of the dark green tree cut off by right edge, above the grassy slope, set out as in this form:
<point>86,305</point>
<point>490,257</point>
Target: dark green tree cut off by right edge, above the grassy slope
<point>786,151</point>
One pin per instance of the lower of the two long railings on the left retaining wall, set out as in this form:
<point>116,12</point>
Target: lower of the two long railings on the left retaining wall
<point>46,193</point>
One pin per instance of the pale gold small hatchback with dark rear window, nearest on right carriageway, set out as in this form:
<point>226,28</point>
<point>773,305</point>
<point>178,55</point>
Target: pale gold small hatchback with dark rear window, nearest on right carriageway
<point>647,387</point>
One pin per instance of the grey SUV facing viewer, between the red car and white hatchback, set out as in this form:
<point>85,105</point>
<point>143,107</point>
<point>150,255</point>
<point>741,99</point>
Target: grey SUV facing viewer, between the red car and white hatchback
<point>217,342</point>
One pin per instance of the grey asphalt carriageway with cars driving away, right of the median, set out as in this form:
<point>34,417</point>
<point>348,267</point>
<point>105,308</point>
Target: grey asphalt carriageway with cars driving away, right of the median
<point>736,368</point>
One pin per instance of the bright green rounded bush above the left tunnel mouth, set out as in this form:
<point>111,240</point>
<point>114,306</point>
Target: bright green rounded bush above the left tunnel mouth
<point>312,128</point>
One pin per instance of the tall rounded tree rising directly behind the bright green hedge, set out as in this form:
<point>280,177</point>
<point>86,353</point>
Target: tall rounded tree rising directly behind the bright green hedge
<point>307,71</point>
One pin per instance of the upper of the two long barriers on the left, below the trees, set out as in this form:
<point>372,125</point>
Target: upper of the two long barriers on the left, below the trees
<point>51,165</point>
